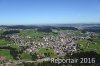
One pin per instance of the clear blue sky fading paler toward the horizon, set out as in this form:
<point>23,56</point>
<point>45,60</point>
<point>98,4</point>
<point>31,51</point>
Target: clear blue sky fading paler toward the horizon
<point>49,11</point>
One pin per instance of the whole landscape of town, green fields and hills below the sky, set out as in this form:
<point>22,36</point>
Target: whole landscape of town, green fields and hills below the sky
<point>35,44</point>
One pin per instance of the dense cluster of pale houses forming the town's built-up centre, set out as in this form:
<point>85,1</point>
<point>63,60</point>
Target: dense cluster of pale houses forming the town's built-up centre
<point>62,44</point>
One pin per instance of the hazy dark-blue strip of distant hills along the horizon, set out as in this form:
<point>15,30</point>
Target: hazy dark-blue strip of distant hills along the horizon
<point>86,27</point>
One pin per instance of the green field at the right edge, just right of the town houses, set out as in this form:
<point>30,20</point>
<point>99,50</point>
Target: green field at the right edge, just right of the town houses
<point>86,45</point>
